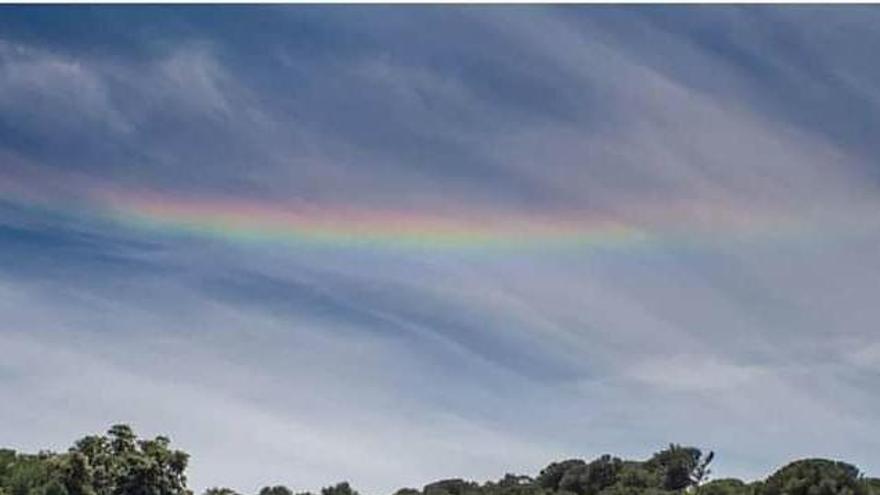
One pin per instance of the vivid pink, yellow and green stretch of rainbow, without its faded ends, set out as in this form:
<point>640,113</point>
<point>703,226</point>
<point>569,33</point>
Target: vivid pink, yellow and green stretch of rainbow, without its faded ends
<point>309,225</point>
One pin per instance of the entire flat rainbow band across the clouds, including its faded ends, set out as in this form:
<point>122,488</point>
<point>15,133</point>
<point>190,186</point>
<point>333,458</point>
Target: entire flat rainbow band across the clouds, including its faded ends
<point>321,226</point>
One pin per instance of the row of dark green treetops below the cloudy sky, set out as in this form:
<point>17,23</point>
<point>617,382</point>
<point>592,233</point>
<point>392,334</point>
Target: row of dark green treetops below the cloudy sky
<point>120,463</point>
